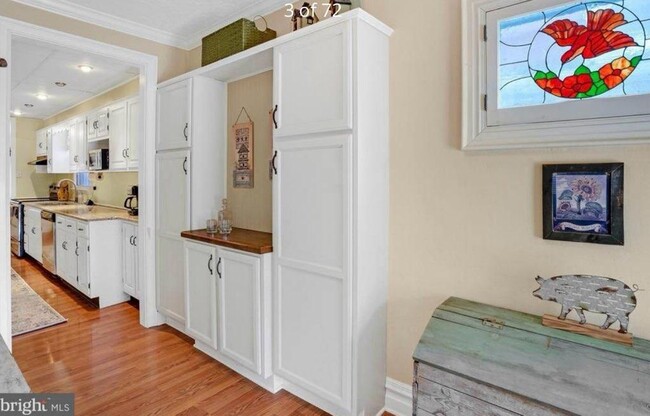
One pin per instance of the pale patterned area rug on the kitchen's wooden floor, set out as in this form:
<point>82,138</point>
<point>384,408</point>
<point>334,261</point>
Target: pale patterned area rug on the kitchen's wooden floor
<point>29,312</point>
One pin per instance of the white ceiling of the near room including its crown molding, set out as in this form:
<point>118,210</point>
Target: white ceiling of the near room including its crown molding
<point>179,23</point>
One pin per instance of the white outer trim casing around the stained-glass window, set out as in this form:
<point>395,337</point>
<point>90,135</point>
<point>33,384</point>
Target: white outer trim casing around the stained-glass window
<point>477,135</point>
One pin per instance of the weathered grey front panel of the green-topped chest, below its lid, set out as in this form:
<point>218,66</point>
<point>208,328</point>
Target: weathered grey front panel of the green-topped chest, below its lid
<point>436,399</point>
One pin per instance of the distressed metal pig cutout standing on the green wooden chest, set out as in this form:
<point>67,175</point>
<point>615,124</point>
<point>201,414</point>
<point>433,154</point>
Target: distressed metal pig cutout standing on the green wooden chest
<point>590,293</point>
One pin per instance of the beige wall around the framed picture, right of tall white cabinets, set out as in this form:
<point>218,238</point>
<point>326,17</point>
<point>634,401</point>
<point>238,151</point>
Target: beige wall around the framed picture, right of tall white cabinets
<point>469,224</point>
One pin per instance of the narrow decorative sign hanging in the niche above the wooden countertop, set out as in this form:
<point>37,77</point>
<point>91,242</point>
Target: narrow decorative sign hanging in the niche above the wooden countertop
<point>244,150</point>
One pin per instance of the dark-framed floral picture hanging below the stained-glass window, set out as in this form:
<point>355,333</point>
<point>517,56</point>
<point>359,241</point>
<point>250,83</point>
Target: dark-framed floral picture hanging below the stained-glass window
<point>584,203</point>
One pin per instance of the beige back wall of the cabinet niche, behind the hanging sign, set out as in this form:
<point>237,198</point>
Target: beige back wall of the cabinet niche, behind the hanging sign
<point>252,207</point>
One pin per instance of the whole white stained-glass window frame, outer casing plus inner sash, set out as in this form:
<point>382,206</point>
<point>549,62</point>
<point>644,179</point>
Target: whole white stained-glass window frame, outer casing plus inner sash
<point>615,128</point>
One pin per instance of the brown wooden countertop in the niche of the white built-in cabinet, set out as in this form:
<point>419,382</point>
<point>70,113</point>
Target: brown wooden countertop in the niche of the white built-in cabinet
<point>245,240</point>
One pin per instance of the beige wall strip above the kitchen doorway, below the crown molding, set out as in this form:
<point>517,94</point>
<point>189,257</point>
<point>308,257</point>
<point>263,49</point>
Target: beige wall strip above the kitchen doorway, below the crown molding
<point>171,61</point>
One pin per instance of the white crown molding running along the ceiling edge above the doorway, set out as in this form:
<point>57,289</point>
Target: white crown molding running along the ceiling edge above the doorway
<point>88,15</point>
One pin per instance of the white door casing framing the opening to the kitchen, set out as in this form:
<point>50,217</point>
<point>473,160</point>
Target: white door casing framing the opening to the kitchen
<point>148,66</point>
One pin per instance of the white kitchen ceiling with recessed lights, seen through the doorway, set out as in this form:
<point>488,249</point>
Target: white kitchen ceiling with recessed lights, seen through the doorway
<point>36,66</point>
